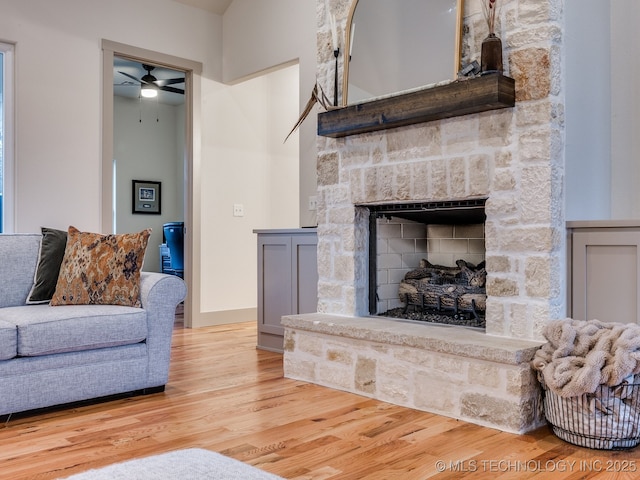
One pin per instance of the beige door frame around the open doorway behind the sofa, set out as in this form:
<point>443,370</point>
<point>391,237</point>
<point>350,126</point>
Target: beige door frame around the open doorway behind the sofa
<point>193,72</point>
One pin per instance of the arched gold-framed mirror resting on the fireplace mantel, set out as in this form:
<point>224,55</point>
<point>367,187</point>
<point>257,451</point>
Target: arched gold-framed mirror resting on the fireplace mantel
<point>400,45</point>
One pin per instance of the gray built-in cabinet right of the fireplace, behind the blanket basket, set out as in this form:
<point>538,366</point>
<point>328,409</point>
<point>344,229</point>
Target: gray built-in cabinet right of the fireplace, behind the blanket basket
<point>604,270</point>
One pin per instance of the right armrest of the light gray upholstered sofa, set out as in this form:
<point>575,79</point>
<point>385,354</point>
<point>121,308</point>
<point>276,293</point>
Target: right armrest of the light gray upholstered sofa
<point>160,294</point>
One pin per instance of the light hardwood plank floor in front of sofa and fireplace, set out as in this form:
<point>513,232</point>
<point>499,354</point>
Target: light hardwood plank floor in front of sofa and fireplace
<point>228,397</point>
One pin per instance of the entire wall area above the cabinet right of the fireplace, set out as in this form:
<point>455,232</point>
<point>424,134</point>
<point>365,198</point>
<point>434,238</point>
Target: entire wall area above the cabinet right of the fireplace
<point>602,109</point>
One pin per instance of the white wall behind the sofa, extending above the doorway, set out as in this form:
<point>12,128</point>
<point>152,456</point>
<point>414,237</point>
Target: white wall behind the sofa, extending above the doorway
<point>58,92</point>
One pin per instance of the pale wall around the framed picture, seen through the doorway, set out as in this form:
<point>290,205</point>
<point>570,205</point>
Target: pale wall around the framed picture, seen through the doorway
<point>148,150</point>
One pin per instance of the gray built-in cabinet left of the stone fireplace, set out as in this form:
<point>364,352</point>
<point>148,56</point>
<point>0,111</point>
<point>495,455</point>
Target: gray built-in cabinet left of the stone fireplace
<point>287,280</point>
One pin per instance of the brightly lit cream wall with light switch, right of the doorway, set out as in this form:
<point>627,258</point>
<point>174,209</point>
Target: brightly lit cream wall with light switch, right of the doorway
<point>247,163</point>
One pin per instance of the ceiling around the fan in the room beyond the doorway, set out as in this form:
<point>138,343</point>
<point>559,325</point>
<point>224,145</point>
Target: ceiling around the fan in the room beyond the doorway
<point>124,86</point>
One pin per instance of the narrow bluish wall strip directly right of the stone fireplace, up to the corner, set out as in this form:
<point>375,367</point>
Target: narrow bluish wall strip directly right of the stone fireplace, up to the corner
<point>588,110</point>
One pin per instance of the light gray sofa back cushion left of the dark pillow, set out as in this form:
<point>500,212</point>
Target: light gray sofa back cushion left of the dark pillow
<point>18,258</point>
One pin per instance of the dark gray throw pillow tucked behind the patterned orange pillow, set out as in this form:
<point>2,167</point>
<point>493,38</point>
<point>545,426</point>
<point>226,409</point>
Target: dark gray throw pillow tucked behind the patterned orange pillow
<point>52,248</point>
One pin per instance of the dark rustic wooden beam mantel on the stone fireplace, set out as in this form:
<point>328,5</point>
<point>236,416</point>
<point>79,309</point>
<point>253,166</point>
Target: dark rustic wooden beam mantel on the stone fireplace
<point>462,97</point>
